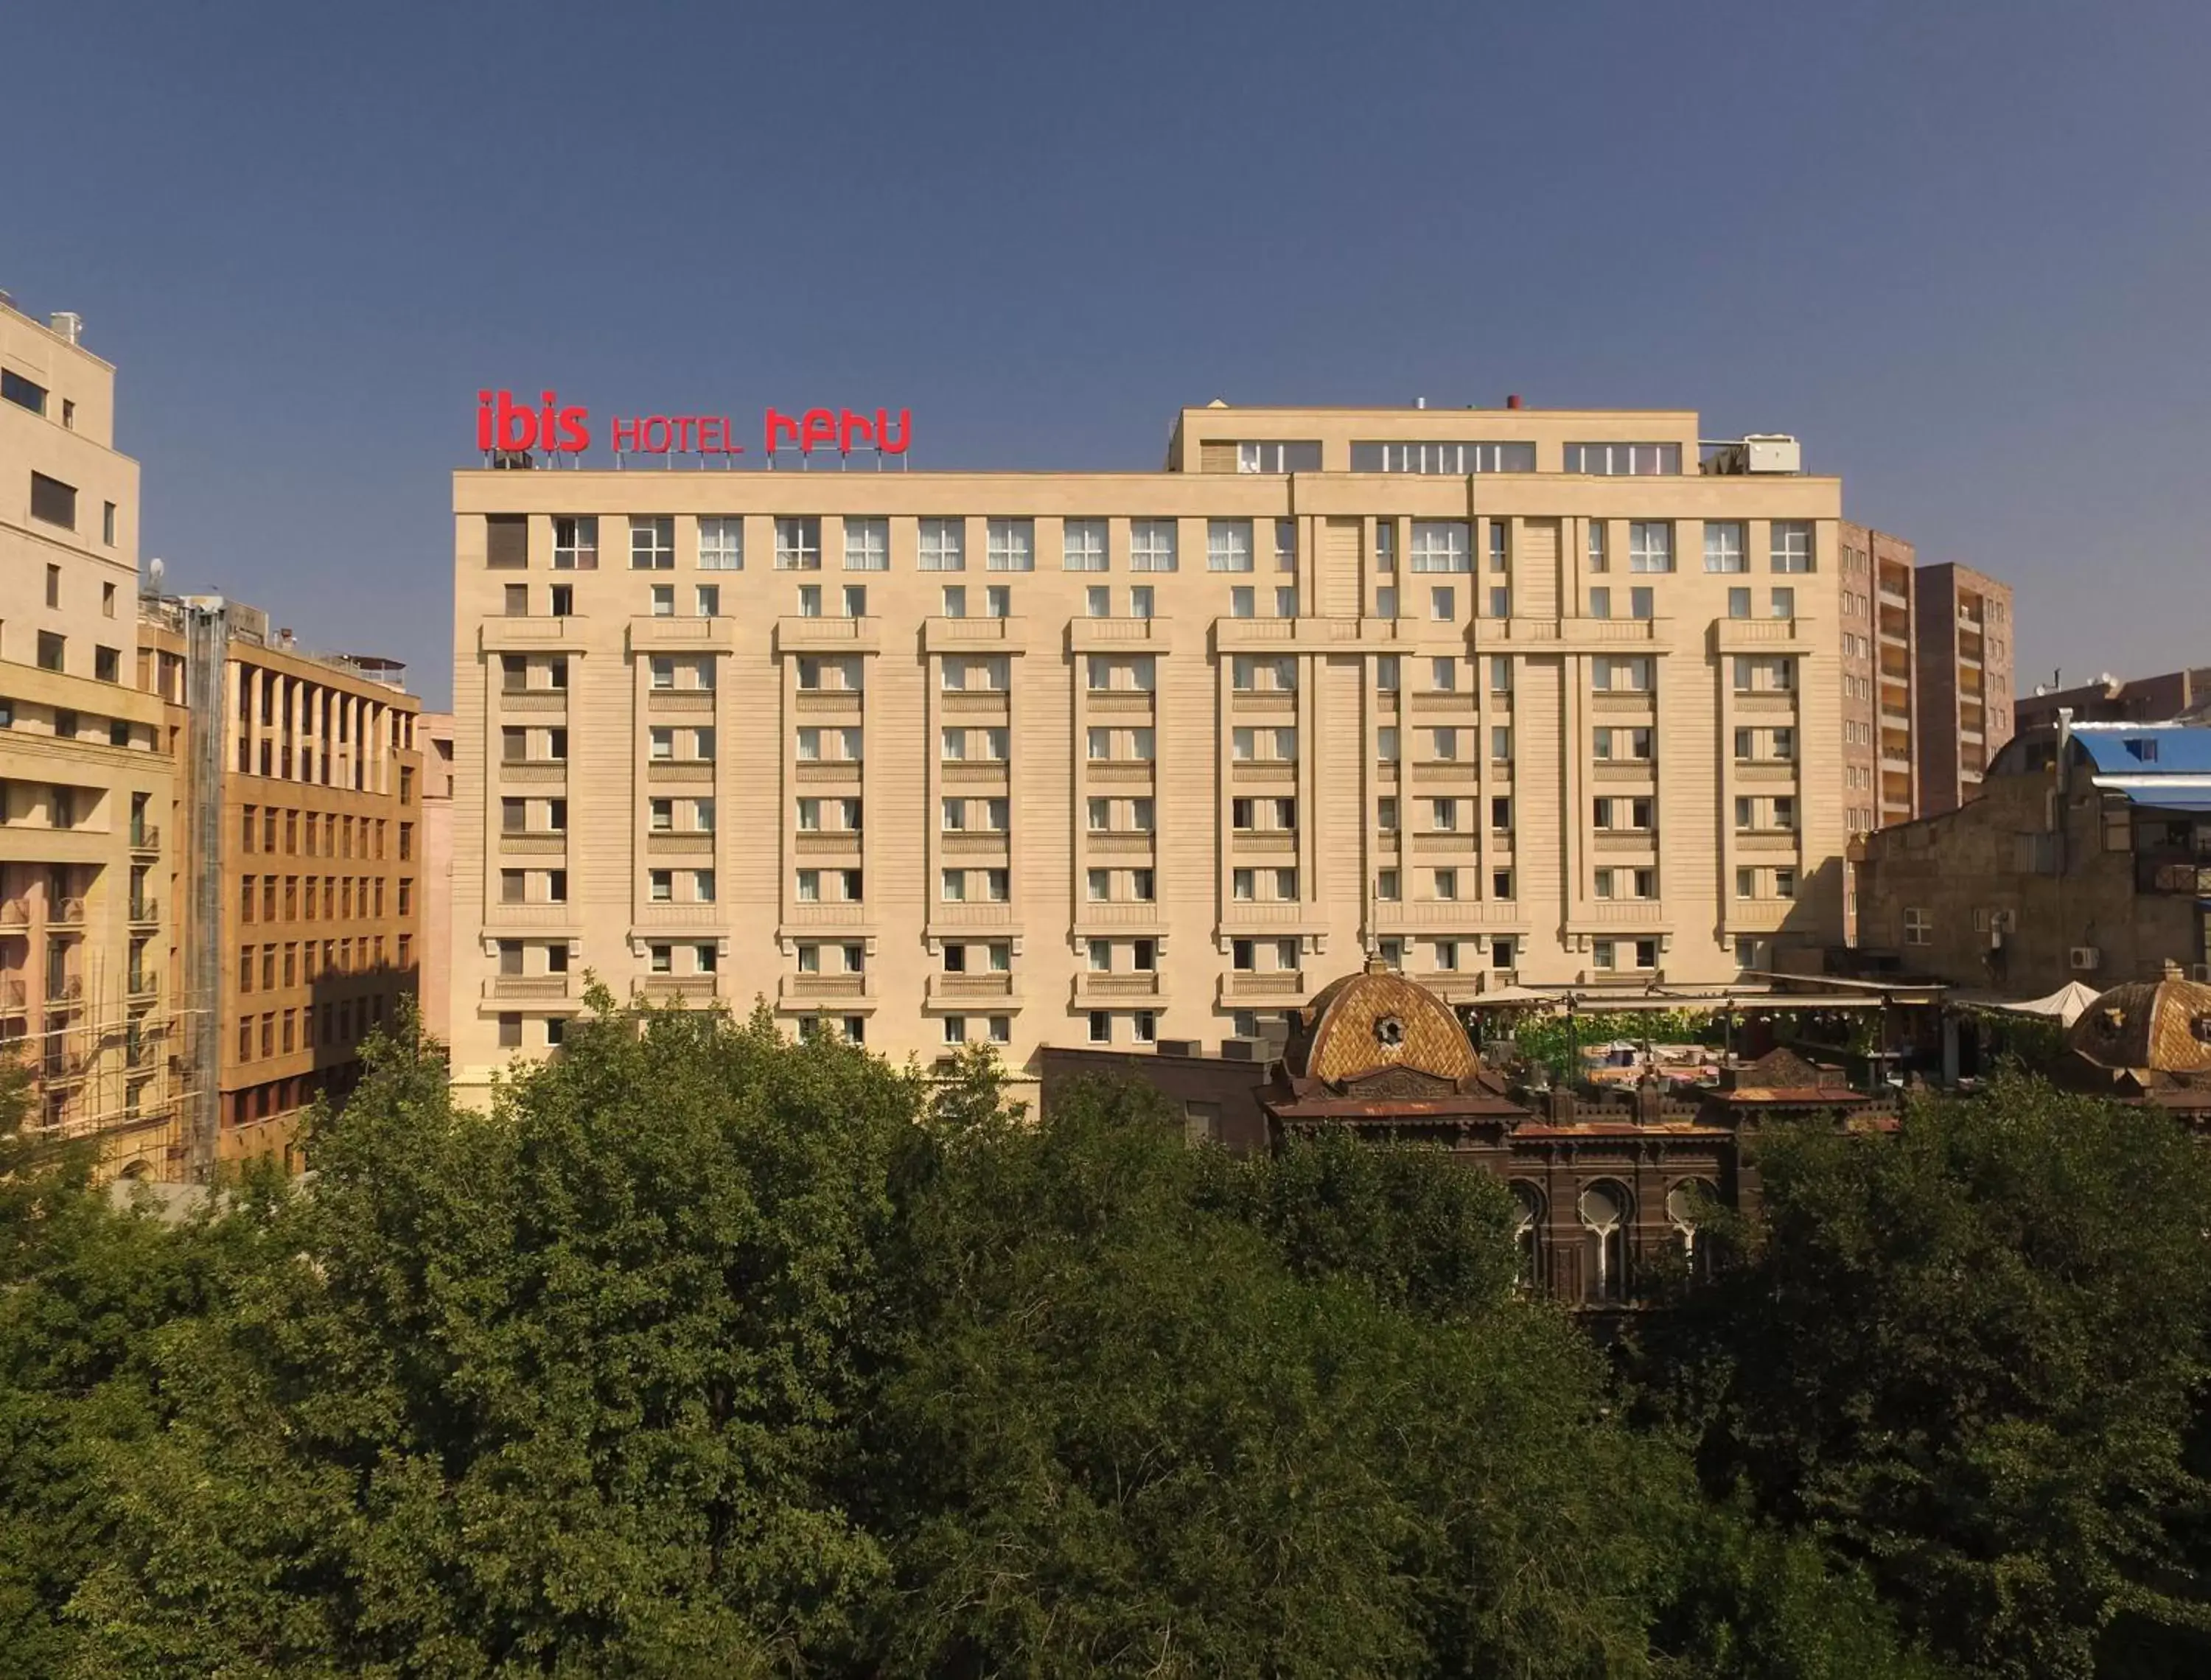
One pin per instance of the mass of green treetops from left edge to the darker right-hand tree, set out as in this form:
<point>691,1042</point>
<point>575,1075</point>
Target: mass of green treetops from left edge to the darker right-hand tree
<point>706,1354</point>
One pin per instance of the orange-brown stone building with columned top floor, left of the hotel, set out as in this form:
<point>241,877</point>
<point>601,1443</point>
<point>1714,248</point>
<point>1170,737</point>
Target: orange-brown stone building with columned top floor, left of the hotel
<point>308,932</point>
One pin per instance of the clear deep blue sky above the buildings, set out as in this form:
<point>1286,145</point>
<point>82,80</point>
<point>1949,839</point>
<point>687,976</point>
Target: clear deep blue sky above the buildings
<point>1962,249</point>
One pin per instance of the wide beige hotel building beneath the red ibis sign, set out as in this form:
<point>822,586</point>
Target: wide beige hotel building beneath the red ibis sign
<point>1509,697</point>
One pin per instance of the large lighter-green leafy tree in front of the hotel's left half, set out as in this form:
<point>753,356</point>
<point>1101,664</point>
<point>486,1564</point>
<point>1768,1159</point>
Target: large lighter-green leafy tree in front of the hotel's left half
<point>558,1389</point>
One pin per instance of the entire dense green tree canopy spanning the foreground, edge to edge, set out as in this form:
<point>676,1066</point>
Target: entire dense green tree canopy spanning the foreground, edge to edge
<point>706,1354</point>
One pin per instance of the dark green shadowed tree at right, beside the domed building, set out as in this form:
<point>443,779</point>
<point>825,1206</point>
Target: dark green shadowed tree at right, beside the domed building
<point>1967,1356</point>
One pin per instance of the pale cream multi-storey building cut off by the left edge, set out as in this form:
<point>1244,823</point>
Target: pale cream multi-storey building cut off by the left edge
<point>87,983</point>
